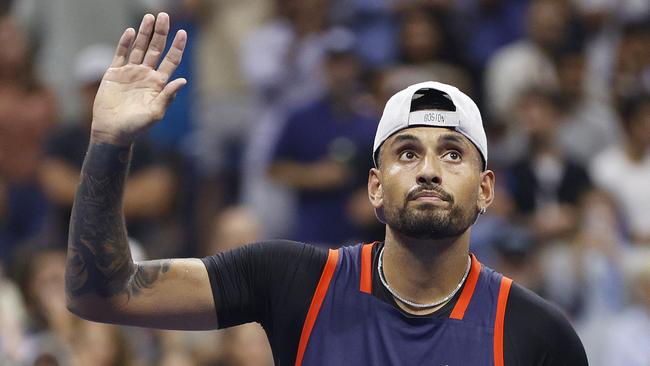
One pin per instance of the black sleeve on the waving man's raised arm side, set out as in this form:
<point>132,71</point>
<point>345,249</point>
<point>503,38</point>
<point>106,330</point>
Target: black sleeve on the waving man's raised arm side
<point>271,283</point>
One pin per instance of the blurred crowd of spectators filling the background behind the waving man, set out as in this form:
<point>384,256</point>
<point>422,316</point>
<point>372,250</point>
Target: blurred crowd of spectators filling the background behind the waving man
<point>272,138</point>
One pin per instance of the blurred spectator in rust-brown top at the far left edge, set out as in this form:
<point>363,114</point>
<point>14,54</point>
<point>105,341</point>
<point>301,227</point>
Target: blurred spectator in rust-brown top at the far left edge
<point>27,113</point>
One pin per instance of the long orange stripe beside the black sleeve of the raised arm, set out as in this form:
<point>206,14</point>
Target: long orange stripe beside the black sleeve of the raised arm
<point>316,302</point>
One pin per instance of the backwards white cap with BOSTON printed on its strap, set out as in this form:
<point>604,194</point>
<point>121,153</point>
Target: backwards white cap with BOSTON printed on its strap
<point>466,119</point>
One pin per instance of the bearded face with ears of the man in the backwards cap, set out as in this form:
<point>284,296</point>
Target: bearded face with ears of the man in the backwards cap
<point>430,183</point>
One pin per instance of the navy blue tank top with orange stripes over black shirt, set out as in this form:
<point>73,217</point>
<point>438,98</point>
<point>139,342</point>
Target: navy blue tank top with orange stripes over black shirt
<point>347,325</point>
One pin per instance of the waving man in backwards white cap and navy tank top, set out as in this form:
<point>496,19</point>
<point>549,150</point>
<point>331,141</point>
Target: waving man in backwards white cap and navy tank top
<point>420,298</point>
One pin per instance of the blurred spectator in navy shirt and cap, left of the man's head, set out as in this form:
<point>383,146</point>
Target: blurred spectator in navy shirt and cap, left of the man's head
<point>322,145</point>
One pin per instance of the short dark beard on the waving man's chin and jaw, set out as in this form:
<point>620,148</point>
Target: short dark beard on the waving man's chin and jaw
<point>429,221</point>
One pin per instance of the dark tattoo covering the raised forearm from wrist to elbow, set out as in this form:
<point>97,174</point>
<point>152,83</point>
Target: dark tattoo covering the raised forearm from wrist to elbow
<point>99,260</point>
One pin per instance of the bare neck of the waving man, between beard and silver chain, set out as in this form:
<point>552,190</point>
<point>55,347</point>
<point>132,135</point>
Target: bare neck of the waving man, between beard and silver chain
<point>424,271</point>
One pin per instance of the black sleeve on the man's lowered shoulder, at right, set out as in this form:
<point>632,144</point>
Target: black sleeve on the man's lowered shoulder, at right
<point>538,334</point>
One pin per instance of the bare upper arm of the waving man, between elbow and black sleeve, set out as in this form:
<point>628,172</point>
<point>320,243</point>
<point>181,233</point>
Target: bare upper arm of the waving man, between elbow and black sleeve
<point>165,294</point>
